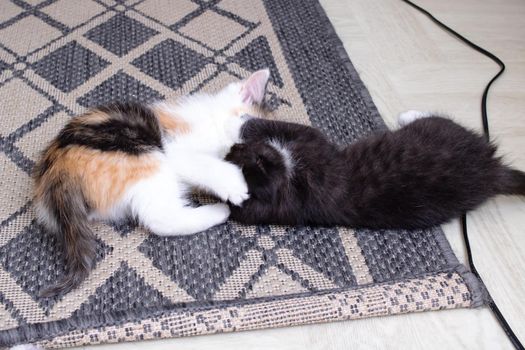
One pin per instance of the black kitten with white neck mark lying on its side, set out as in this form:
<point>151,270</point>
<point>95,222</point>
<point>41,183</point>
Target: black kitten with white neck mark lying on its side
<point>424,174</point>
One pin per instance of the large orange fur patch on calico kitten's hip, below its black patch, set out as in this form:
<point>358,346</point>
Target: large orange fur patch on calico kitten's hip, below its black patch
<point>104,176</point>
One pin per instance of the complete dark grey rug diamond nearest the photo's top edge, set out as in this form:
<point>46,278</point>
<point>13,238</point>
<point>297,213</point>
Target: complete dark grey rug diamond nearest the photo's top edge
<point>120,34</point>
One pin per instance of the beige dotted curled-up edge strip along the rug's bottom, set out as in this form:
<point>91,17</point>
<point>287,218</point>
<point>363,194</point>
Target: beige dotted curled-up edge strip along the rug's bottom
<point>448,290</point>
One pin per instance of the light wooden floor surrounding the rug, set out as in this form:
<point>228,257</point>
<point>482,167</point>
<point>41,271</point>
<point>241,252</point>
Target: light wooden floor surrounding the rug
<point>408,63</point>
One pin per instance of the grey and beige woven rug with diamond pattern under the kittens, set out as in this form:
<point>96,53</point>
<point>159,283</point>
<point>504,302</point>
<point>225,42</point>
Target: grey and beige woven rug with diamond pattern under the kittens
<point>58,57</point>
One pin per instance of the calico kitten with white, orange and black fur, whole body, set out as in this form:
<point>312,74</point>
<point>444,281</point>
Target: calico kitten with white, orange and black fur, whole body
<point>128,159</point>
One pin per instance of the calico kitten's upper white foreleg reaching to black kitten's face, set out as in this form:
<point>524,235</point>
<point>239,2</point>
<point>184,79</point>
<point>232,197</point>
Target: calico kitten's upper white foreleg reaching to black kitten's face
<point>215,175</point>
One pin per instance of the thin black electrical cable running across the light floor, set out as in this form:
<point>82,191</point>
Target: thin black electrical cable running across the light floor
<point>484,118</point>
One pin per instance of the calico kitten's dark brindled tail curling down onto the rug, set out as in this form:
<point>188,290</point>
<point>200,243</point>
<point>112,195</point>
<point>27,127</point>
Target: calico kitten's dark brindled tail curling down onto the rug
<point>67,208</point>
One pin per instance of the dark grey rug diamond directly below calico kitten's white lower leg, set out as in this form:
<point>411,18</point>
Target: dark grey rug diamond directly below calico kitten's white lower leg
<point>199,263</point>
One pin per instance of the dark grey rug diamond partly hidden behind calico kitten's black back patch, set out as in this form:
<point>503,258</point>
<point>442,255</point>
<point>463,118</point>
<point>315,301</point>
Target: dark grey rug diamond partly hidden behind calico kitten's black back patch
<point>121,87</point>
